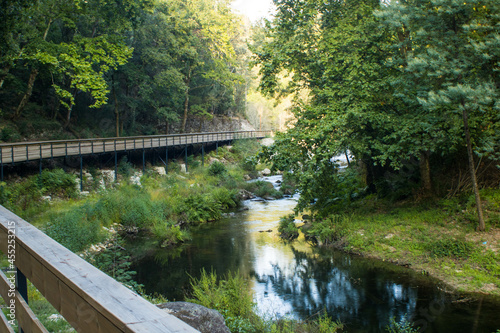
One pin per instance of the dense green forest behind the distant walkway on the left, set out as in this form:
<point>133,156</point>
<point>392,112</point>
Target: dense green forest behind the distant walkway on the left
<point>113,68</point>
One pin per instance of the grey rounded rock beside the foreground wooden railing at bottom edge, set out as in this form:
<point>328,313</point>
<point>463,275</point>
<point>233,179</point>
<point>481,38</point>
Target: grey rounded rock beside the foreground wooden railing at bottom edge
<point>199,317</point>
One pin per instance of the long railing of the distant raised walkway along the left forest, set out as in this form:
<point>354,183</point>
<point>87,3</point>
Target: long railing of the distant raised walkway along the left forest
<point>28,151</point>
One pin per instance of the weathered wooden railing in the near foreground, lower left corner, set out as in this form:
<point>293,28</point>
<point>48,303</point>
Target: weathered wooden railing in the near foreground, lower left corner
<point>88,299</point>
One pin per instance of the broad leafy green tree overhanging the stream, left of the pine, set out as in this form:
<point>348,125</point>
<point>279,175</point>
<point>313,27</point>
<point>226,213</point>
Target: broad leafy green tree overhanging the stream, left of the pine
<point>337,52</point>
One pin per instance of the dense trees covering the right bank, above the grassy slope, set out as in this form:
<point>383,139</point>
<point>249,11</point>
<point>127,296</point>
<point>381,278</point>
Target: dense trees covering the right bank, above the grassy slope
<point>410,89</point>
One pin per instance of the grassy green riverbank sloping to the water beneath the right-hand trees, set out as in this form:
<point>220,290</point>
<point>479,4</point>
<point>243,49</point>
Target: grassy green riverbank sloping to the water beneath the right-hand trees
<point>437,238</point>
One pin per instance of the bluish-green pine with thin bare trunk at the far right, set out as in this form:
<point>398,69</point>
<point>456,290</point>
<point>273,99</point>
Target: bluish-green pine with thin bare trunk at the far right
<point>453,45</point>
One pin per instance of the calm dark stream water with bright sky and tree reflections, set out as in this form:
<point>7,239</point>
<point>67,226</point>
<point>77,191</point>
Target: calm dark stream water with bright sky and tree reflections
<point>299,280</point>
